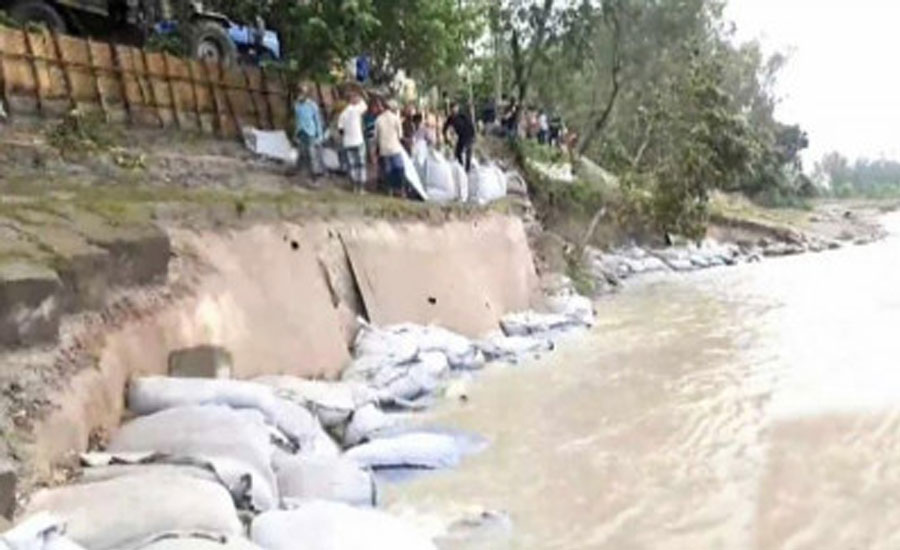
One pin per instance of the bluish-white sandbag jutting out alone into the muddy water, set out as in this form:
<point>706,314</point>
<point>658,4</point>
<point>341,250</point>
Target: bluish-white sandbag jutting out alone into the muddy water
<point>412,450</point>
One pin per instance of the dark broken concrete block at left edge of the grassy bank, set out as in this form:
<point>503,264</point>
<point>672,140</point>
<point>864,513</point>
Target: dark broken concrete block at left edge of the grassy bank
<point>29,303</point>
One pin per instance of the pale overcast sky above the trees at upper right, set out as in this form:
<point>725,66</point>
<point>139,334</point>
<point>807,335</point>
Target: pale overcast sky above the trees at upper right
<point>842,83</point>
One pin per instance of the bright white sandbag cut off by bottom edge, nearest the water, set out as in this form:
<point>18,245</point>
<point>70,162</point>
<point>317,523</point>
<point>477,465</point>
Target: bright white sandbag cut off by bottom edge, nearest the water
<point>321,525</point>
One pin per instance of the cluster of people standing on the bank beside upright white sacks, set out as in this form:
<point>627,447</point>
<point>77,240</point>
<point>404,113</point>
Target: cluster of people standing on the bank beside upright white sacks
<point>377,134</point>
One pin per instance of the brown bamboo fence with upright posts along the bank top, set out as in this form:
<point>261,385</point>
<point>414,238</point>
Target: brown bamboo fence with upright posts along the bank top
<point>46,73</point>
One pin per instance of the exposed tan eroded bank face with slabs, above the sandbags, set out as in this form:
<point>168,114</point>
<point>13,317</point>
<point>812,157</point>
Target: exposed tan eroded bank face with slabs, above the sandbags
<point>284,299</point>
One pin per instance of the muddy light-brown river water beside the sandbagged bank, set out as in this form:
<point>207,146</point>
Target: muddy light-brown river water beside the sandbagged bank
<point>755,407</point>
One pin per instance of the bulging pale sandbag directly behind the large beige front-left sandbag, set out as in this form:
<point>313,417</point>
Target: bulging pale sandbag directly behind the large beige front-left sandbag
<point>234,442</point>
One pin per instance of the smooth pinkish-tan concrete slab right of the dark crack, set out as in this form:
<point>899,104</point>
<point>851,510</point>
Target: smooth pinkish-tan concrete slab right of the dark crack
<point>463,275</point>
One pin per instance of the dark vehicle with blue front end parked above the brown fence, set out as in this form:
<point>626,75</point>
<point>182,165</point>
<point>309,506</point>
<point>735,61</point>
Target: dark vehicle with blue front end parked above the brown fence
<point>210,35</point>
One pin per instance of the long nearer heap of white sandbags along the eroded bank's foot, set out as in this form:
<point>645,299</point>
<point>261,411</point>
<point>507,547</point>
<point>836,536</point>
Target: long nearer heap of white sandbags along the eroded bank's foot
<point>279,462</point>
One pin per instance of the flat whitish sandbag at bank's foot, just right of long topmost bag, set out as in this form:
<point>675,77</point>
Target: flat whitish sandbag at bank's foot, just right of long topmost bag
<point>331,402</point>
